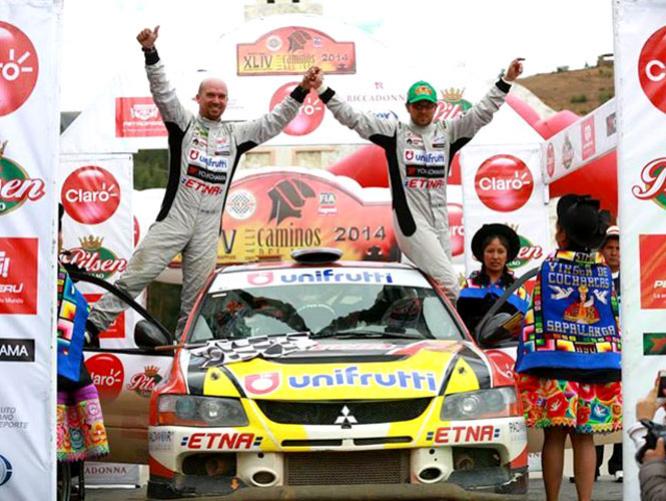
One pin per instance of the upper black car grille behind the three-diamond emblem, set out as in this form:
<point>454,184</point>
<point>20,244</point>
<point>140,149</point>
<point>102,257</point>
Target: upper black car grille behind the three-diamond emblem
<point>326,413</point>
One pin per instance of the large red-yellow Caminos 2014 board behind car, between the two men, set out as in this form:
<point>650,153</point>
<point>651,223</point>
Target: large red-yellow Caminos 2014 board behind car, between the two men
<point>271,214</point>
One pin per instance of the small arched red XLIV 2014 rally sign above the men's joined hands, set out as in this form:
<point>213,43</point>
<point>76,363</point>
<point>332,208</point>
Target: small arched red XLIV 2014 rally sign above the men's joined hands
<point>292,50</point>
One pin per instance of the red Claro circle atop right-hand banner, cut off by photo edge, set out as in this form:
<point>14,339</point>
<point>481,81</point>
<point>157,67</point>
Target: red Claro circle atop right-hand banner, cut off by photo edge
<point>652,69</point>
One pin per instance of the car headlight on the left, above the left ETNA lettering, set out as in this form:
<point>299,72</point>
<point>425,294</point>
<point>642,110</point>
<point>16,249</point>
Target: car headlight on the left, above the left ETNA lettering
<point>200,411</point>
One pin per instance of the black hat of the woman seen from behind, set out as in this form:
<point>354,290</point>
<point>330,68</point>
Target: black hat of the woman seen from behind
<point>579,216</point>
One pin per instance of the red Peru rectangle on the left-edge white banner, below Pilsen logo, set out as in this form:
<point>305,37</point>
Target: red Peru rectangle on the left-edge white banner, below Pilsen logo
<point>18,276</point>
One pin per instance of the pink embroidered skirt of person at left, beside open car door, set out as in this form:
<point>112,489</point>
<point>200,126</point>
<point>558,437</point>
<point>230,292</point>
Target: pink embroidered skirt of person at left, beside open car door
<point>80,426</point>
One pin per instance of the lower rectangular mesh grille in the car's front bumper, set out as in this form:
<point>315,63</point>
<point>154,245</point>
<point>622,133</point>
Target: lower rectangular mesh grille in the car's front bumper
<point>346,468</point>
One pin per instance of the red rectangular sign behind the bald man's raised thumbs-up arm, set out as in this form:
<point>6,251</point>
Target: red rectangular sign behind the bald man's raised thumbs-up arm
<point>138,117</point>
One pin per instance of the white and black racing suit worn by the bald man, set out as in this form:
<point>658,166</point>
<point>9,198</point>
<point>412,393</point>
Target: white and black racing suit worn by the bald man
<point>203,155</point>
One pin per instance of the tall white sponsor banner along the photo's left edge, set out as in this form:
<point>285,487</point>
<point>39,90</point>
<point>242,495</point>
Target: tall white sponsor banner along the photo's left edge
<point>29,124</point>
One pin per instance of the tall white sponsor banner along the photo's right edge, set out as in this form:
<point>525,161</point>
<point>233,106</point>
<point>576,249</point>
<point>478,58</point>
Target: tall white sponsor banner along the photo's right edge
<point>640,83</point>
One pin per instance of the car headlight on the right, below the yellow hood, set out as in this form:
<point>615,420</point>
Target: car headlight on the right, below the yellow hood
<point>495,402</point>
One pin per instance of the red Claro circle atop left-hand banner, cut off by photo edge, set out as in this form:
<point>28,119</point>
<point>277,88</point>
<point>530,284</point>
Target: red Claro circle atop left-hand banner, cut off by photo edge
<point>19,68</point>
